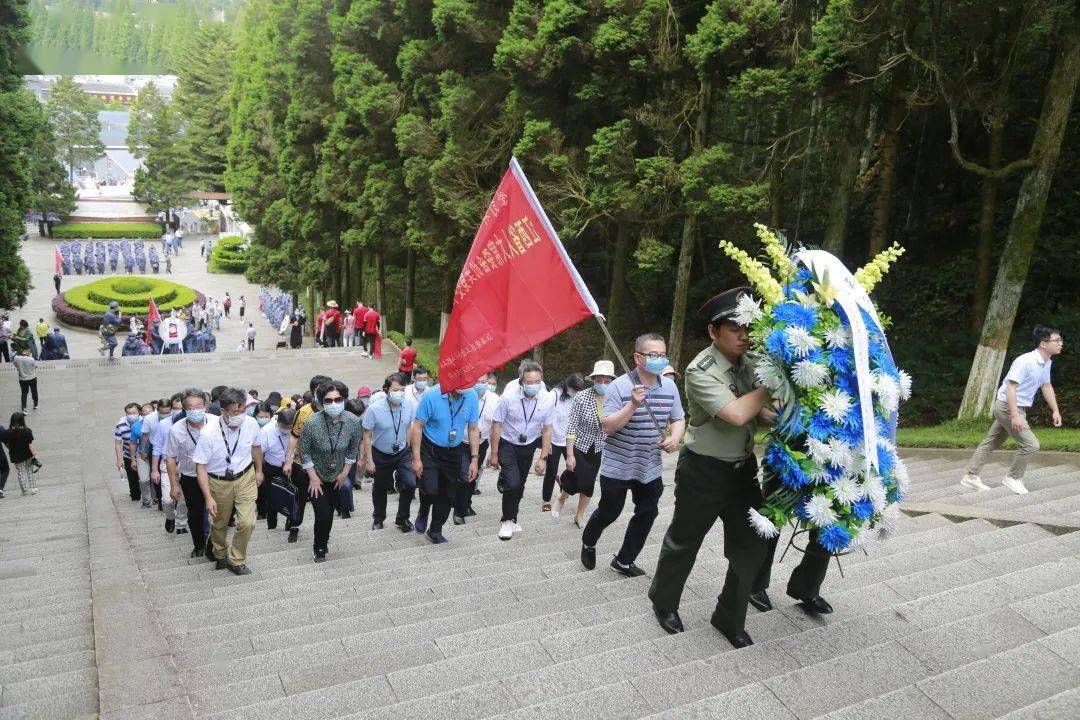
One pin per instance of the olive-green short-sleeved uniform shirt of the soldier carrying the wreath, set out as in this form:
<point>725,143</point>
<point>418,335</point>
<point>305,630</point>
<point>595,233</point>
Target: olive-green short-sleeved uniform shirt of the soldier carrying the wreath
<point>712,383</point>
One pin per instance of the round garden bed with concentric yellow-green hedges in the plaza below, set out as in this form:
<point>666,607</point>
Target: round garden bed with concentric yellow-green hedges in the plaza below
<point>85,306</point>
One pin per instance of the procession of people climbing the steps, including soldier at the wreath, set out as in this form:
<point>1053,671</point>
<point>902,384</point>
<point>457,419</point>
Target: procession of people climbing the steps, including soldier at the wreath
<point>234,459</point>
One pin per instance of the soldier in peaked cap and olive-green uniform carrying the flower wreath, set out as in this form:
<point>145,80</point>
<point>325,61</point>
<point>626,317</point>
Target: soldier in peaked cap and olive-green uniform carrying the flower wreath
<point>717,478</point>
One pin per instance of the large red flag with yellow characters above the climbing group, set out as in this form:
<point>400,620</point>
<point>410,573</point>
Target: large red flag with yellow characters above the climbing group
<point>517,290</point>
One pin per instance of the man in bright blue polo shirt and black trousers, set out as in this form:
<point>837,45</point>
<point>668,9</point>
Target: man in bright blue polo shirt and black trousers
<point>441,454</point>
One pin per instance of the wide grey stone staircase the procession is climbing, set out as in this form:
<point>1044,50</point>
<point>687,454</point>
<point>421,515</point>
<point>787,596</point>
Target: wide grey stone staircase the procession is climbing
<point>956,617</point>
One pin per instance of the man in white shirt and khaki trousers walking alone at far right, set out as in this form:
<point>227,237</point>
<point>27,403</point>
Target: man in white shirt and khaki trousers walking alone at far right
<point>1029,374</point>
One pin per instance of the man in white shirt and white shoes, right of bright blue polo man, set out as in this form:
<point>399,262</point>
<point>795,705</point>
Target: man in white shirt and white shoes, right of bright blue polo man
<point>522,422</point>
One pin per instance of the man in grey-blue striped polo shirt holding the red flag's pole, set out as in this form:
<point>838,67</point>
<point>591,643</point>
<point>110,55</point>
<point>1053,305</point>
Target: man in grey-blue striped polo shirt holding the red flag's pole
<point>631,460</point>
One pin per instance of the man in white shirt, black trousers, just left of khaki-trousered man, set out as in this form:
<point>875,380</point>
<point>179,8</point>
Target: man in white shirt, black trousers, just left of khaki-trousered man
<point>180,451</point>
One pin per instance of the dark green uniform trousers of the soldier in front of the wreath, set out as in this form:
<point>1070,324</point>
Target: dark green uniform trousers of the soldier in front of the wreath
<point>708,490</point>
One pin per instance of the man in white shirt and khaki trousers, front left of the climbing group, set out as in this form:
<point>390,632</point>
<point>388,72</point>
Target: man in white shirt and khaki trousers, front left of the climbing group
<point>229,465</point>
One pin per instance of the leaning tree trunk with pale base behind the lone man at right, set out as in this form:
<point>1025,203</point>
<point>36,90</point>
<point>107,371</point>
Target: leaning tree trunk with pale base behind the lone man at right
<point>1024,227</point>
